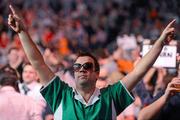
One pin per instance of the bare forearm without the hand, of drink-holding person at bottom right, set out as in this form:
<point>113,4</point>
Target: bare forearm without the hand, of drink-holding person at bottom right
<point>151,111</point>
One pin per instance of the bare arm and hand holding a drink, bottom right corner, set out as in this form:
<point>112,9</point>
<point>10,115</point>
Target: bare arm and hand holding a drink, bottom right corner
<point>151,111</point>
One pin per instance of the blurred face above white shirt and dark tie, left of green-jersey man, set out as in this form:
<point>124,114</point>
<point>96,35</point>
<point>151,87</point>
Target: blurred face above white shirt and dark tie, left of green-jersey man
<point>29,74</point>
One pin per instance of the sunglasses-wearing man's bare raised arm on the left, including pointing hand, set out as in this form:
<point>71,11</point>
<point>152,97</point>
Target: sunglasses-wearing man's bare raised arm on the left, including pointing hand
<point>32,52</point>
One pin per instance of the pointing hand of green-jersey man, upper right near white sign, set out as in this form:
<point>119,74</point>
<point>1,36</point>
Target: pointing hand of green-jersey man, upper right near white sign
<point>168,33</point>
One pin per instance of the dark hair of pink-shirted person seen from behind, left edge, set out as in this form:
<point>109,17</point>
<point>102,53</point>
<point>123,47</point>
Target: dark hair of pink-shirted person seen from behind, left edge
<point>8,76</point>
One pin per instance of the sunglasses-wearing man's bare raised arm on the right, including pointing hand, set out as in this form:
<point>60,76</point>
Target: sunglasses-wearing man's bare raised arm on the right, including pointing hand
<point>148,60</point>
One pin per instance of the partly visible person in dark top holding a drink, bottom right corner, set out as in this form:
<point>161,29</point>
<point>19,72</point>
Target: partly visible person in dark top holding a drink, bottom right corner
<point>166,107</point>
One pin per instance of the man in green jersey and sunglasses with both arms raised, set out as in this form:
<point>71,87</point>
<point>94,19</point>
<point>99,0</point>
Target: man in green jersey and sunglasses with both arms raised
<point>85,101</point>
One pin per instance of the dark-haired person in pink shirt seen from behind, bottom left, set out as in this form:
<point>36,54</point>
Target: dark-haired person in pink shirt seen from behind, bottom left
<point>13,105</point>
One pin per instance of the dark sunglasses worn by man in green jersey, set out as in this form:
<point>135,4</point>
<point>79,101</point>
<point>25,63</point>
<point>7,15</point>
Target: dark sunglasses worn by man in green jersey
<point>86,66</point>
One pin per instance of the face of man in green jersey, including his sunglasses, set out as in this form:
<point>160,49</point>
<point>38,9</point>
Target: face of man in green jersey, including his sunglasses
<point>84,71</point>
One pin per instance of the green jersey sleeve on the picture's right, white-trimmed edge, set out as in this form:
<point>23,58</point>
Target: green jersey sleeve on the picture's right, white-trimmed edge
<point>121,97</point>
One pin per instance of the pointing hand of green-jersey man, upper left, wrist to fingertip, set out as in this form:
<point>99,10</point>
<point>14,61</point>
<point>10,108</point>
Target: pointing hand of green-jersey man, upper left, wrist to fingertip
<point>15,20</point>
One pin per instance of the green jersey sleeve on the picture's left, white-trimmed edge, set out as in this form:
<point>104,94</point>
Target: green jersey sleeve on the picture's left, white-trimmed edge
<point>53,92</point>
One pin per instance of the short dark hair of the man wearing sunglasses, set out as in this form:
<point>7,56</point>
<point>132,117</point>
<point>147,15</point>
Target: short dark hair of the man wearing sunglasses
<point>82,53</point>
